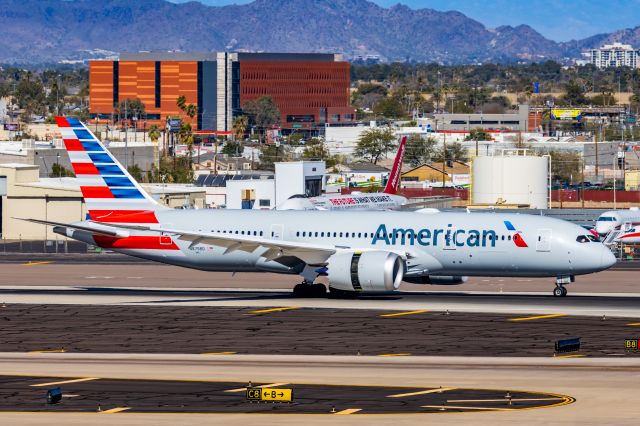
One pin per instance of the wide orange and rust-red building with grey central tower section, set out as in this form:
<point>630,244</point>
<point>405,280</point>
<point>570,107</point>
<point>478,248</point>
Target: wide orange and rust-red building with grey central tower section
<point>308,89</point>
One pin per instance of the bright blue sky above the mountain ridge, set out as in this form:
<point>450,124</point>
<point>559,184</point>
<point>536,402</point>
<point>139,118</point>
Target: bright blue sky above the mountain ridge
<point>559,20</point>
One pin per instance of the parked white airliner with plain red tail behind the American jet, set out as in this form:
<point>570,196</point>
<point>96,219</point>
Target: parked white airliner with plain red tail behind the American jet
<point>385,200</point>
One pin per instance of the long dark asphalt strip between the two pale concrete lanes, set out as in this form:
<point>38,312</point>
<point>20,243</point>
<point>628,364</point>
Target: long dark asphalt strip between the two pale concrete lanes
<point>290,330</point>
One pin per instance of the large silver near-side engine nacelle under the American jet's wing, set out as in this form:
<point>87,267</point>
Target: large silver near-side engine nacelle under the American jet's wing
<point>365,271</point>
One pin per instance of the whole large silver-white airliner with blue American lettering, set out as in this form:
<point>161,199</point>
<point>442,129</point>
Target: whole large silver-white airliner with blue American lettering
<point>372,251</point>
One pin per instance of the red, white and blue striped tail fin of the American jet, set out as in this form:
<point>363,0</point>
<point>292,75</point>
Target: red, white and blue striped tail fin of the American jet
<point>109,191</point>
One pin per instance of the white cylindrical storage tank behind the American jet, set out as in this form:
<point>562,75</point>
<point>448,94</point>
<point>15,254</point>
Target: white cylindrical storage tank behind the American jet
<point>511,179</point>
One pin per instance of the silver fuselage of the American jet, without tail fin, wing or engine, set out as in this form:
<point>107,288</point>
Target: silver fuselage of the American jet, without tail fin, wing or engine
<point>480,244</point>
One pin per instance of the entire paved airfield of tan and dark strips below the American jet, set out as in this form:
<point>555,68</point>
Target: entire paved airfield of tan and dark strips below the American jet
<point>127,320</point>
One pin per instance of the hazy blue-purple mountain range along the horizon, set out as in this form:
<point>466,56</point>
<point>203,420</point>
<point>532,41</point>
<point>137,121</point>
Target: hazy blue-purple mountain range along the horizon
<point>47,31</point>
